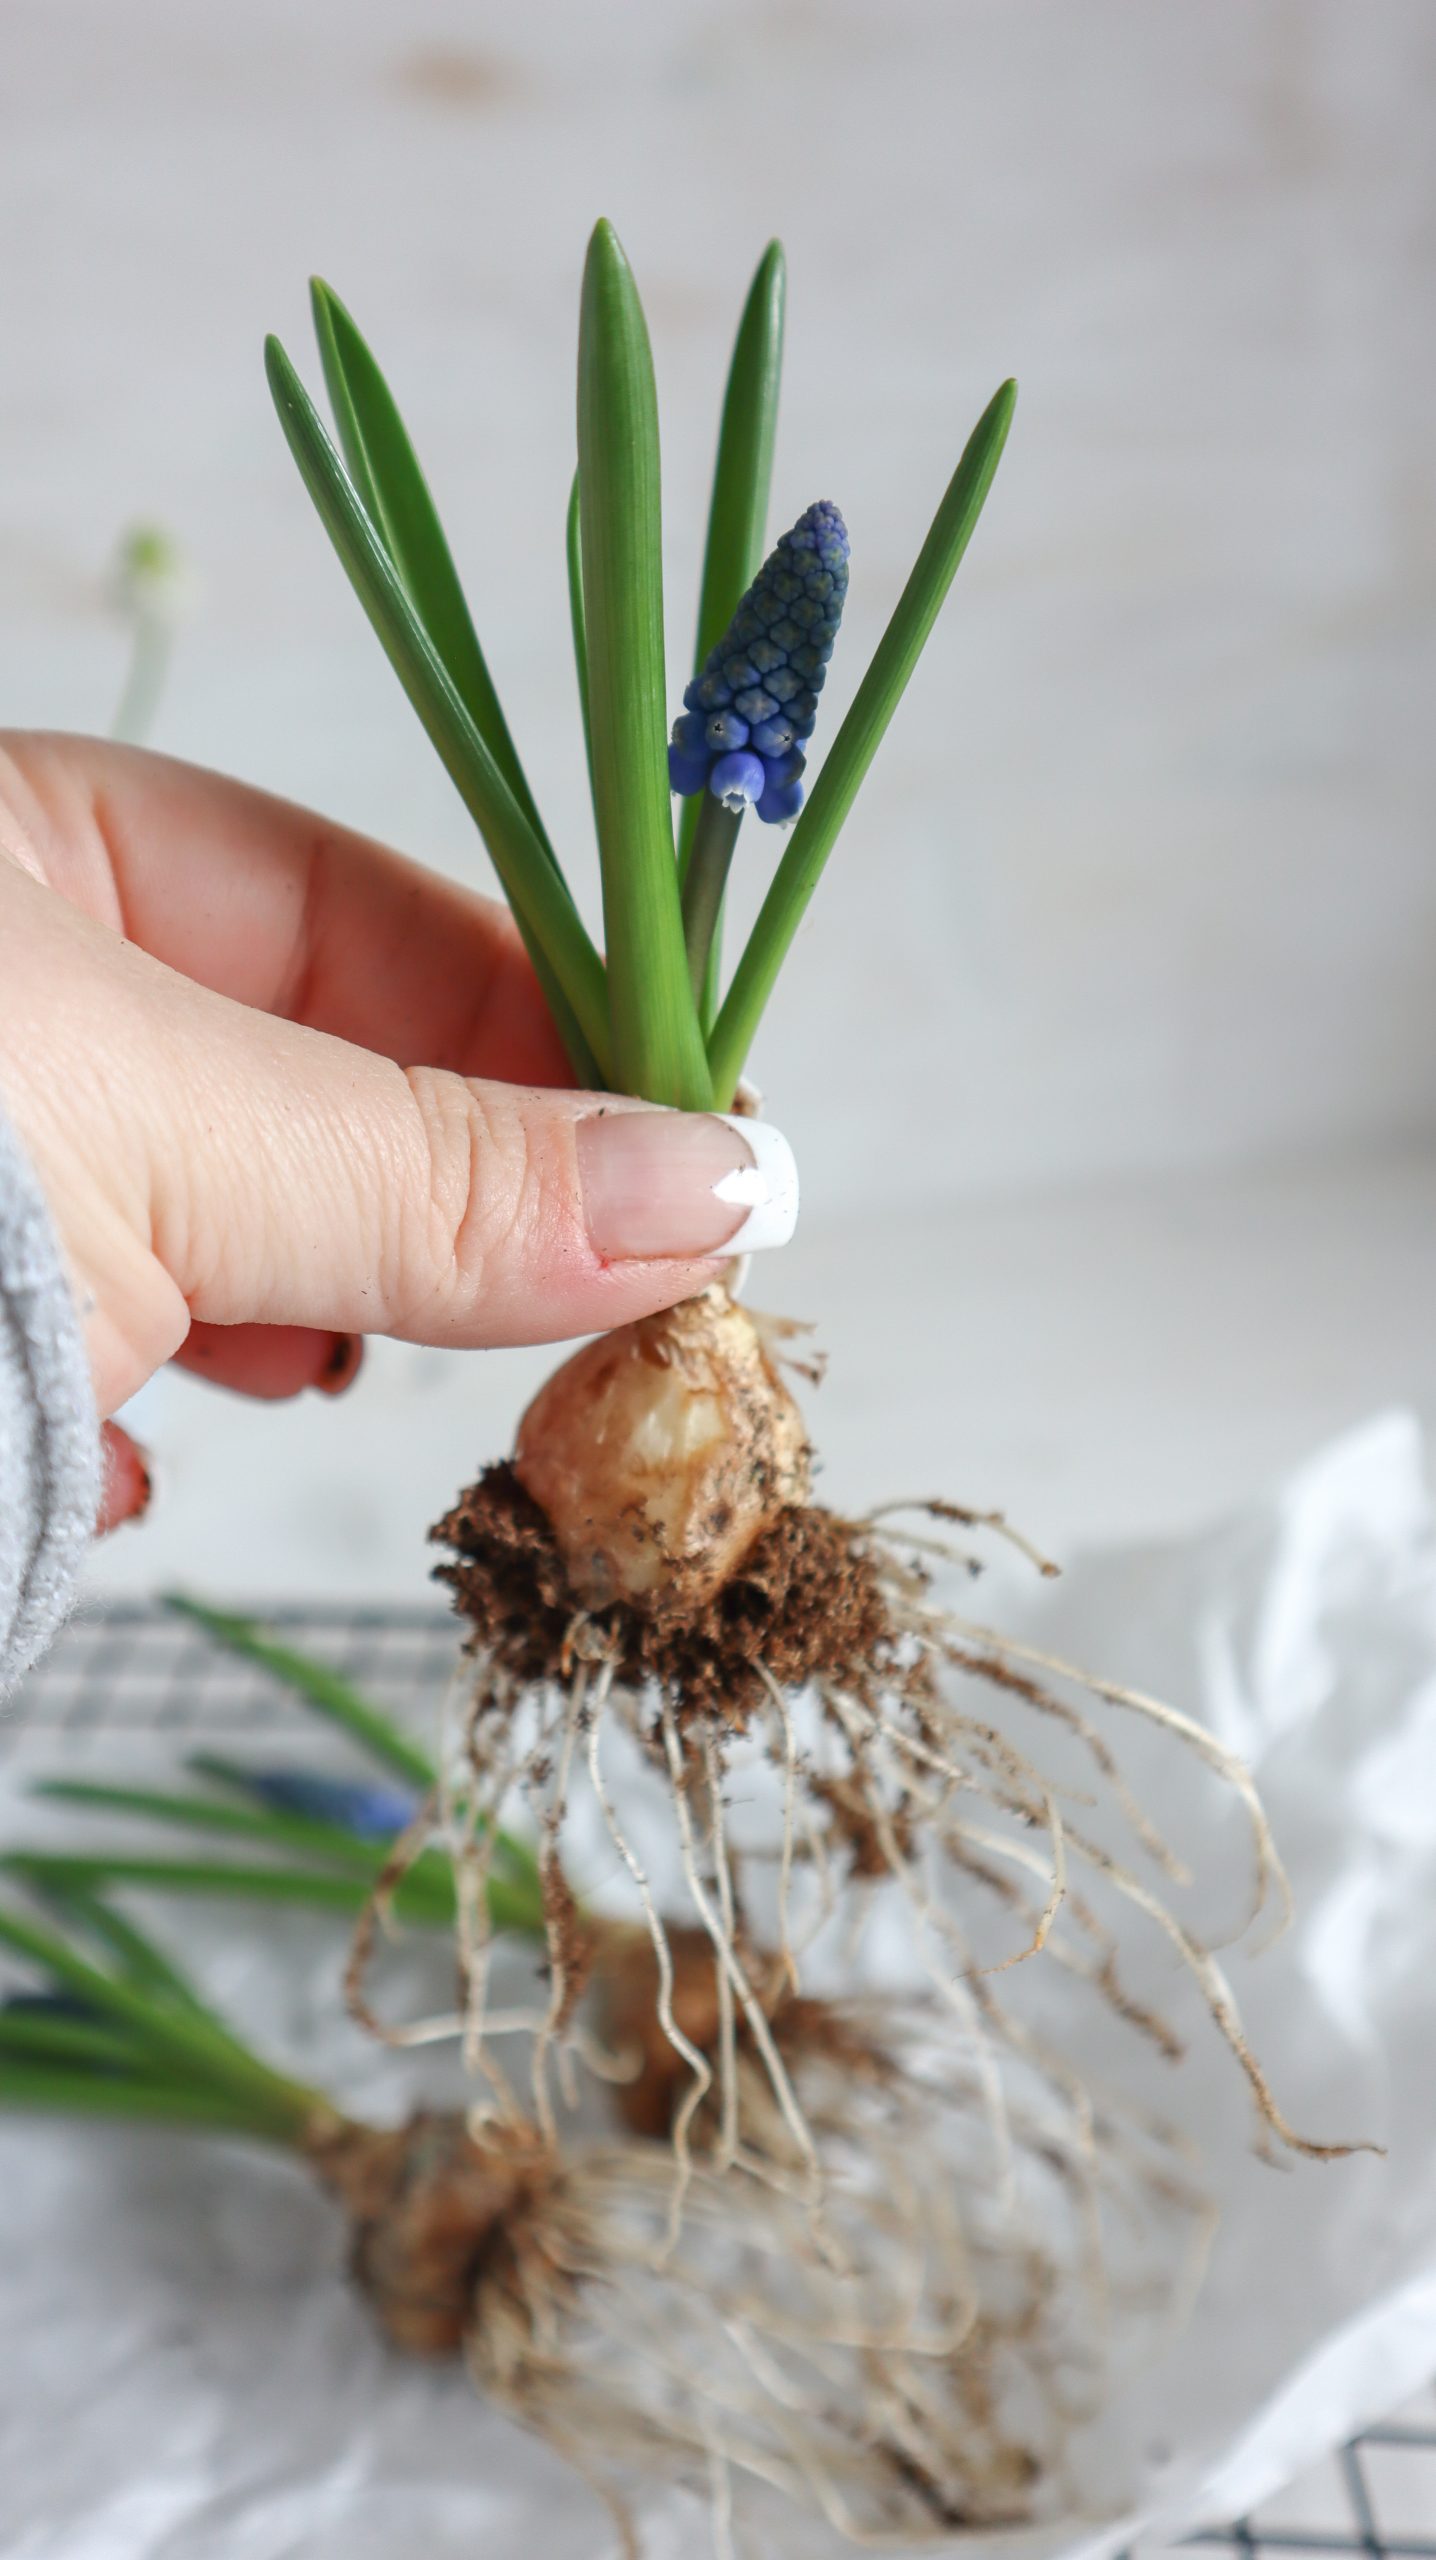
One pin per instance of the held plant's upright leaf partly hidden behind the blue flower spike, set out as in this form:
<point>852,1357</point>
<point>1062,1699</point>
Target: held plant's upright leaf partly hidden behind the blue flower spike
<point>733,557</point>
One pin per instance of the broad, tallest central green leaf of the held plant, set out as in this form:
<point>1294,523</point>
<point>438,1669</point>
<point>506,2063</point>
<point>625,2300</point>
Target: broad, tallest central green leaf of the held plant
<point>657,1043</point>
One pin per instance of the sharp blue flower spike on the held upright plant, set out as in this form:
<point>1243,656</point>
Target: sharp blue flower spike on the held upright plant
<point>754,700</point>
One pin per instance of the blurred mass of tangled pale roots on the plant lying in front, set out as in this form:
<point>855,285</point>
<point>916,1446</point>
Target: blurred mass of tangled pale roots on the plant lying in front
<point>882,2392</point>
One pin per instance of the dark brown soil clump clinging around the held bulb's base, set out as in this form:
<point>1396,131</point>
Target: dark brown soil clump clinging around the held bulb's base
<point>802,1604</point>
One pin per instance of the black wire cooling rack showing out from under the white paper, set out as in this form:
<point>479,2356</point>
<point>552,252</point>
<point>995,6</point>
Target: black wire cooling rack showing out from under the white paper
<point>132,1668</point>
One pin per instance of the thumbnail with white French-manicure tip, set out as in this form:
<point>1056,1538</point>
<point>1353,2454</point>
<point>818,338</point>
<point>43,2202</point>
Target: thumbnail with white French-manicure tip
<point>682,1184</point>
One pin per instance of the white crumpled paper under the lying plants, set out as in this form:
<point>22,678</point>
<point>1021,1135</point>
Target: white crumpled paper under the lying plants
<point>186,2374</point>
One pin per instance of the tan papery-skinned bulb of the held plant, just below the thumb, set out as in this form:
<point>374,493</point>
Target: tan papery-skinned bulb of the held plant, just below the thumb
<point>662,1453</point>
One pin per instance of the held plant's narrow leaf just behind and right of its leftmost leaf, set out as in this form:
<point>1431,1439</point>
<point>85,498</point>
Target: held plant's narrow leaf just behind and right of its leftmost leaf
<point>395,493</point>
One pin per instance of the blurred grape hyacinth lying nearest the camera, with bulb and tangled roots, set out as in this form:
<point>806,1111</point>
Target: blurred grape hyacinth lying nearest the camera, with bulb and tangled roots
<point>639,2351</point>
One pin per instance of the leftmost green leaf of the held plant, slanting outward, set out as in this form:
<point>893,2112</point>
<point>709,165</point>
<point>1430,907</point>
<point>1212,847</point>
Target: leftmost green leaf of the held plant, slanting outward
<point>567,964</point>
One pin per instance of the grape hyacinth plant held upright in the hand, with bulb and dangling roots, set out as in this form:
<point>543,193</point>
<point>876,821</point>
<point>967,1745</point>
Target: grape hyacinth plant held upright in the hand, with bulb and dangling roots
<point>649,1573</point>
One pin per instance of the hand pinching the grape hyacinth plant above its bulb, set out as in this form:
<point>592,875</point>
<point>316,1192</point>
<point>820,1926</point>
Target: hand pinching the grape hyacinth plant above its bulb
<point>285,1089</point>
